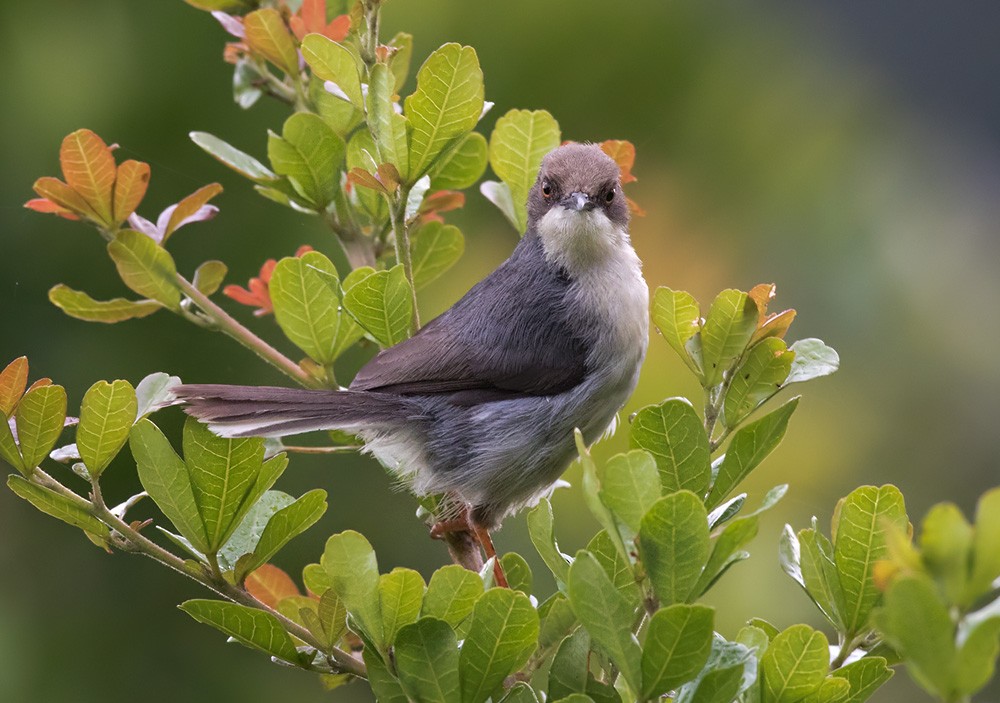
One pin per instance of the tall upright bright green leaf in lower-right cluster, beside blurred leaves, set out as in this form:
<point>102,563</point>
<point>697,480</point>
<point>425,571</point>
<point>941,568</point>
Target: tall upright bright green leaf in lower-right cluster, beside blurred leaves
<point>860,542</point>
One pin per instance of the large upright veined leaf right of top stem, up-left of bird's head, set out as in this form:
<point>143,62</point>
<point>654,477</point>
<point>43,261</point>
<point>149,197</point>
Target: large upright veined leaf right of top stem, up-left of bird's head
<point>446,104</point>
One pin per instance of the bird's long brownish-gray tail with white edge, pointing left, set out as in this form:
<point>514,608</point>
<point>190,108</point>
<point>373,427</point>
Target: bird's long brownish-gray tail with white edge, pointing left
<point>269,411</point>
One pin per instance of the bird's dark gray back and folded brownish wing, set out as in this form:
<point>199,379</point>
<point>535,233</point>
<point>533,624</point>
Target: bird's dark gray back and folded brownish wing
<point>510,335</point>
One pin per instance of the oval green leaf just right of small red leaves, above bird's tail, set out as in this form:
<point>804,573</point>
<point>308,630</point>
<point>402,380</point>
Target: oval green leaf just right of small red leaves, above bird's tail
<point>306,307</point>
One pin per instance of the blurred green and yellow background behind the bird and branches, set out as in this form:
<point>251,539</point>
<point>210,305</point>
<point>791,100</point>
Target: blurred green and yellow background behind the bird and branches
<point>848,152</point>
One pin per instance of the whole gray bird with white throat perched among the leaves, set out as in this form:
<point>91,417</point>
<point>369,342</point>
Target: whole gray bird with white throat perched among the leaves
<point>482,403</point>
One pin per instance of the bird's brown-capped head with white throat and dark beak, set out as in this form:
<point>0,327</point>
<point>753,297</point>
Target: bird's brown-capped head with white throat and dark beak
<point>577,207</point>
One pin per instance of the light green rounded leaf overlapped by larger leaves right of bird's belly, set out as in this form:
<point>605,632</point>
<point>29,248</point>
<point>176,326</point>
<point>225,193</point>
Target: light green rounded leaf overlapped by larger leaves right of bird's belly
<point>630,484</point>
